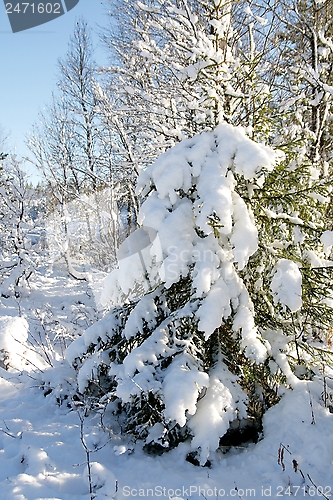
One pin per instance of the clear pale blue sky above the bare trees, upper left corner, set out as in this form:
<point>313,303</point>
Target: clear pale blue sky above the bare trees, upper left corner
<point>28,66</point>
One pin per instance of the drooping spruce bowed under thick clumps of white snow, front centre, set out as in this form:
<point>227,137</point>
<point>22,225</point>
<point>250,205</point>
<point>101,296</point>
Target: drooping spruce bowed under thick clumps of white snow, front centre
<point>181,330</point>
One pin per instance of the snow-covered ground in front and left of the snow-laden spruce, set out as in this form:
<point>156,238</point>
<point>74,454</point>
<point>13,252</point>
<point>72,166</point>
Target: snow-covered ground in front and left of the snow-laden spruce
<point>42,444</point>
